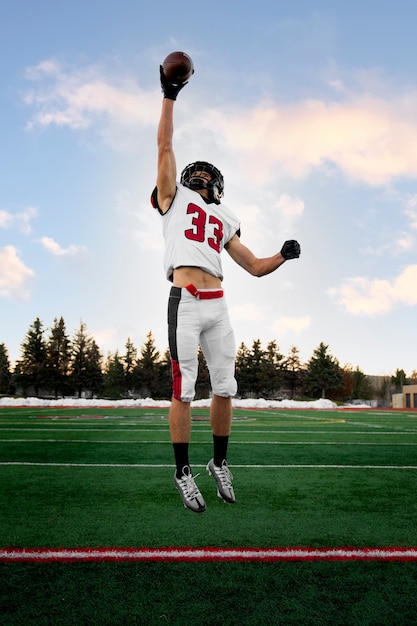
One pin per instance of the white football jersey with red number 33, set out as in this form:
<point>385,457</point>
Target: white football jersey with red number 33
<point>195,232</point>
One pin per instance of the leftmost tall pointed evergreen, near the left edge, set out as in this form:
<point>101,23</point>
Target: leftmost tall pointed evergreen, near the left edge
<point>31,371</point>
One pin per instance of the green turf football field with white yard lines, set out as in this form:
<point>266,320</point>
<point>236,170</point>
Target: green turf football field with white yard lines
<point>102,478</point>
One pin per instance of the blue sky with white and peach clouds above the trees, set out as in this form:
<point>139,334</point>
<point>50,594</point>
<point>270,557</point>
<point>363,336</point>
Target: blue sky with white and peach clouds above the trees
<point>309,109</point>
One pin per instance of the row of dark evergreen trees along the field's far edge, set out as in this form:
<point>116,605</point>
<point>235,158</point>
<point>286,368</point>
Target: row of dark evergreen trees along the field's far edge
<point>52,364</point>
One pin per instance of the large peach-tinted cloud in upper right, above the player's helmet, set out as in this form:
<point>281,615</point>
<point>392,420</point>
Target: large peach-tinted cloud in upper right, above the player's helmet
<point>370,139</point>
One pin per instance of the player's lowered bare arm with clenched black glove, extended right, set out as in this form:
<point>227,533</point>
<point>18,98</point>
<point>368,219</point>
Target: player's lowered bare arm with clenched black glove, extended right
<point>261,267</point>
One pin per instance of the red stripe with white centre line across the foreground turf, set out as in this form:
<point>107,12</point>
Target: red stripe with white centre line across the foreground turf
<point>48,555</point>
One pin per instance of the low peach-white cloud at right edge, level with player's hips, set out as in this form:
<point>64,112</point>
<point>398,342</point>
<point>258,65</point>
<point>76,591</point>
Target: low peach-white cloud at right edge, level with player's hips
<point>377,297</point>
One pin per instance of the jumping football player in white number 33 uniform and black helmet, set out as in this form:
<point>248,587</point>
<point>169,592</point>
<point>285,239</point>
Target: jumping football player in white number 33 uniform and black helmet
<point>196,228</point>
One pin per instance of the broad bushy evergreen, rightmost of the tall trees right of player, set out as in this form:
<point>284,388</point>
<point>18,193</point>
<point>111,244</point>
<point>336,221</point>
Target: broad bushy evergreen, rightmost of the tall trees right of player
<point>323,373</point>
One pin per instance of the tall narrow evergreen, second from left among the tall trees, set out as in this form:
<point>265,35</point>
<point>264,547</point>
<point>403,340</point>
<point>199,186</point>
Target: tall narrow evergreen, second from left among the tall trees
<point>58,356</point>
